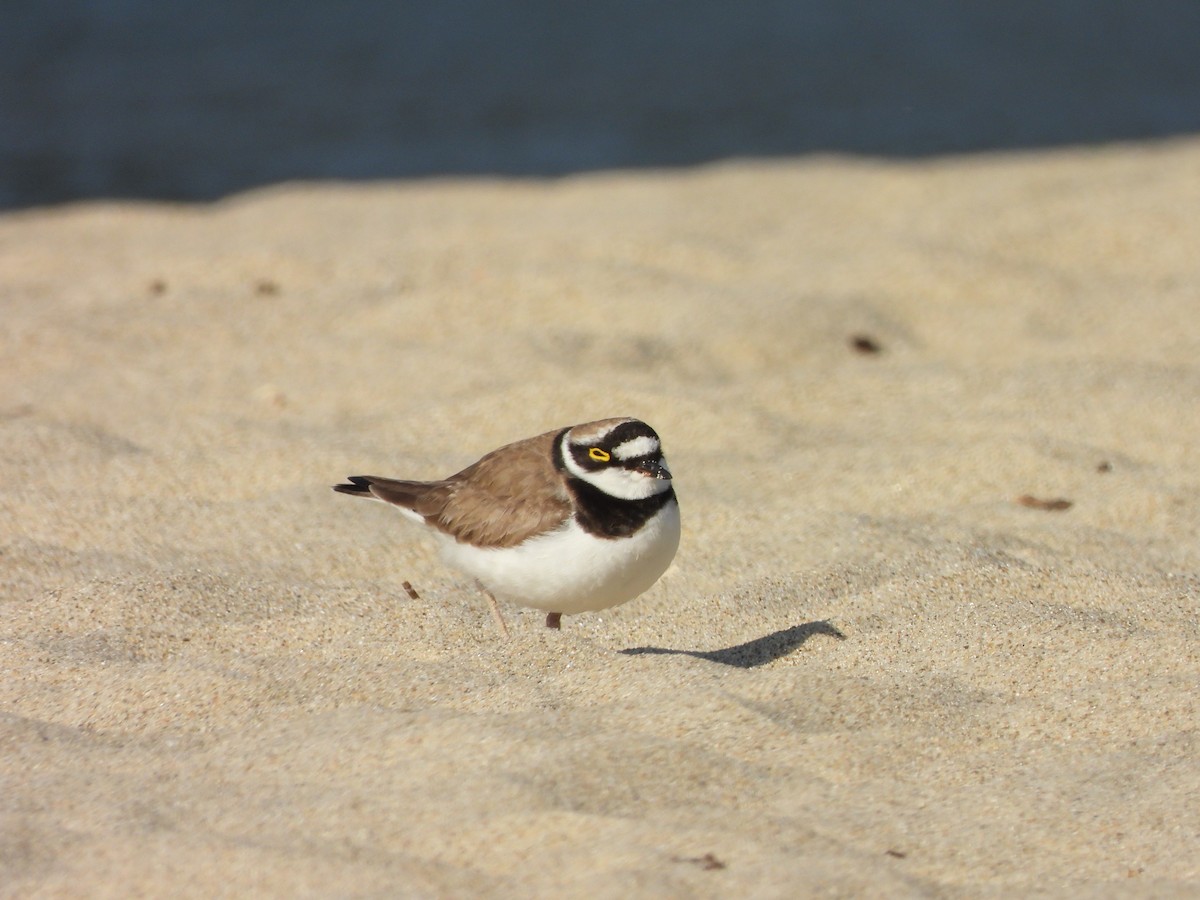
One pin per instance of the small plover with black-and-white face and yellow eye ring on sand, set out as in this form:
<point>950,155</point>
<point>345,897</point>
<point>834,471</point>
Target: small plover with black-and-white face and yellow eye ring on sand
<point>574,520</point>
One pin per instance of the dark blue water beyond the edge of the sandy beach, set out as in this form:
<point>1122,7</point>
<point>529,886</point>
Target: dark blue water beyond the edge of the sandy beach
<point>195,101</point>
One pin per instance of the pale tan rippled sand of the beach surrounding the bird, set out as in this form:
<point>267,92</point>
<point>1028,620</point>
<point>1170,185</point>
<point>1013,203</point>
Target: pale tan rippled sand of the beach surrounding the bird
<point>874,669</point>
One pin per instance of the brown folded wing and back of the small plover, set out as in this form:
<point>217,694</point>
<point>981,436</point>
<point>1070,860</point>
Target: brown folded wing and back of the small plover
<point>507,497</point>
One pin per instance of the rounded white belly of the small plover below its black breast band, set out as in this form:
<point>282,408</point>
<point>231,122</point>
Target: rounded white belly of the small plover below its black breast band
<point>571,571</point>
